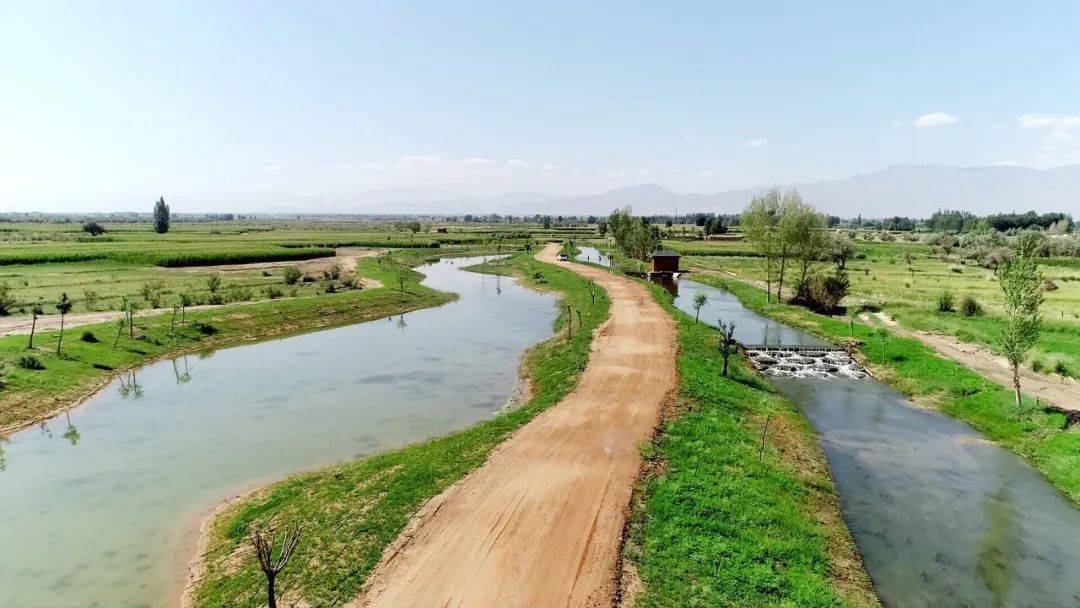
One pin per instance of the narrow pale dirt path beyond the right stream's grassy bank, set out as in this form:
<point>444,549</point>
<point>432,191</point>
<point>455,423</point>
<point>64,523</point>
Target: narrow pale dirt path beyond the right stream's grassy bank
<point>1063,393</point>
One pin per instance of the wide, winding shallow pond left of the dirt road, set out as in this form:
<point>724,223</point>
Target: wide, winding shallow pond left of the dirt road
<point>105,518</point>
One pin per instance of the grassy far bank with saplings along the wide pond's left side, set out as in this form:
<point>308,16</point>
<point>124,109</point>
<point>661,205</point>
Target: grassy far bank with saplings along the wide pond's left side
<point>93,355</point>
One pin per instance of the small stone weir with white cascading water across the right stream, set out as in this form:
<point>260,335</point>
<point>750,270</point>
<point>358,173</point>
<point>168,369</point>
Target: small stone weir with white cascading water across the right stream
<point>804,361</point>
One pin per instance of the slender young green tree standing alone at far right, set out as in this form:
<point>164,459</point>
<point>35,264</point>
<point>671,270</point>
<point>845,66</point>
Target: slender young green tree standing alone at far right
<point>1022,286</point>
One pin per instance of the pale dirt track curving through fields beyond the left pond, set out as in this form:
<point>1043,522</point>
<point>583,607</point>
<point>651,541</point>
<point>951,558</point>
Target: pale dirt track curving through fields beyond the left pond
<point>346,256</point>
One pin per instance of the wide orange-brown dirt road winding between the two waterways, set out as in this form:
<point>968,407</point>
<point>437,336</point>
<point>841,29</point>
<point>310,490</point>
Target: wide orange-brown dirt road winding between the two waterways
<point>541,523</point>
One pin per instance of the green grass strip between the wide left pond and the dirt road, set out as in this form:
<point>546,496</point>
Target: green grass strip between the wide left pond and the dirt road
<point>353,511</point>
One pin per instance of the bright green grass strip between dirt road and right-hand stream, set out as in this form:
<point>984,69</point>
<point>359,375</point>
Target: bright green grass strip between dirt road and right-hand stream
<point>719,528</point>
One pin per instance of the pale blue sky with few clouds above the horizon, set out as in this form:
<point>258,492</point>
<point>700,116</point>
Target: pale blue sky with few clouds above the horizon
<point>322,106</point>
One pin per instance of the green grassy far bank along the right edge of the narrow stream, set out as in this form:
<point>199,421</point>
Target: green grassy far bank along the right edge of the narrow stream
<point>1041,437</point>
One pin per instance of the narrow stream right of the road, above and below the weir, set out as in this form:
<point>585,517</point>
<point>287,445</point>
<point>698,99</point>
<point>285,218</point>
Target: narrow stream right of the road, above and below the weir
<point>943,518</point>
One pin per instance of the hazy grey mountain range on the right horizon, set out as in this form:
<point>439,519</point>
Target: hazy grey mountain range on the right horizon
<point>907,191</point>
